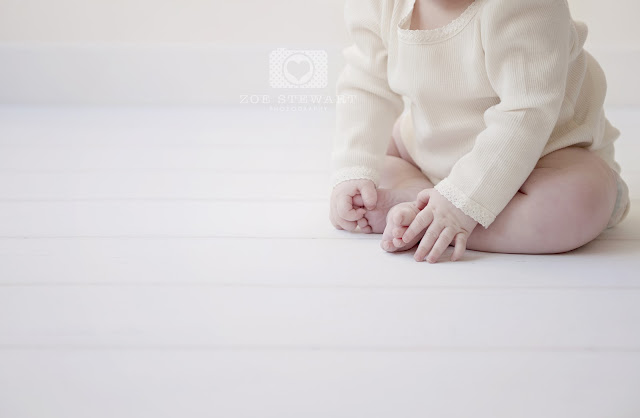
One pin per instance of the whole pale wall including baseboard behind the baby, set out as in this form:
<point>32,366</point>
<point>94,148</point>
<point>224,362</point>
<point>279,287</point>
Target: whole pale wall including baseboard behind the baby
<point>114,41</point>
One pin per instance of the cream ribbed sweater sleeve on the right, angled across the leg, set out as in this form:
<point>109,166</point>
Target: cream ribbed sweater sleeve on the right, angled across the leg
<point>527,47</point>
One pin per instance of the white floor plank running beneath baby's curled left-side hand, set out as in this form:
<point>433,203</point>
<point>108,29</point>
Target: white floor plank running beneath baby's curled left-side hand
<point>300,219</point>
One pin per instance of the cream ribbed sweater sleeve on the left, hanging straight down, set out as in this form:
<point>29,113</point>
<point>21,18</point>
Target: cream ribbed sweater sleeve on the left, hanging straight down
<point>366,108</point>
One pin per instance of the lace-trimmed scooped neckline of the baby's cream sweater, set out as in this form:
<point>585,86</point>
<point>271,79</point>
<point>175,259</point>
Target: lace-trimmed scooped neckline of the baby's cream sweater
<point>423,36</point>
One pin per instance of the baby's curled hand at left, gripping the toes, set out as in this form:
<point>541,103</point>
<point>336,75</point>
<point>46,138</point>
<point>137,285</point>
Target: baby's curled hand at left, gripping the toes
<point>343,213</point>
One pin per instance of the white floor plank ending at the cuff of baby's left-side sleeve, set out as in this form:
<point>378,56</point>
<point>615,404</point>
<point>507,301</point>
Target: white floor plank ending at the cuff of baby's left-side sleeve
<point>161,184</point>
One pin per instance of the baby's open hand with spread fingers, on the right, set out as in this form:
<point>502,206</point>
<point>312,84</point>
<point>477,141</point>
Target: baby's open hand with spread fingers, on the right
<point>444,221</point>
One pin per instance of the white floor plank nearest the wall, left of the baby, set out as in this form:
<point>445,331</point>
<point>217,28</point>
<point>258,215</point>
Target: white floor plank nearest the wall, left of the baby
<point>157,126</point>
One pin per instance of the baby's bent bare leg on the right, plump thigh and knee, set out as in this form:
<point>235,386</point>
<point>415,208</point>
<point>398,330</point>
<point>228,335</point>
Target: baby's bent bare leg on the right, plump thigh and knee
<point>565,203</point>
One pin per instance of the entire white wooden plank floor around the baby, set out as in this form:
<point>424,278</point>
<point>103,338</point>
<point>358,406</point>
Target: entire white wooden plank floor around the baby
<point>181,263</point>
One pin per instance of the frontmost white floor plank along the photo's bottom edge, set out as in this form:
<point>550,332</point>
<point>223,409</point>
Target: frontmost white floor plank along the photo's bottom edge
<point>290,384</point>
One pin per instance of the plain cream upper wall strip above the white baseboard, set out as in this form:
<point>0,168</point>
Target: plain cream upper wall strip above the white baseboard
<point>612,22</point>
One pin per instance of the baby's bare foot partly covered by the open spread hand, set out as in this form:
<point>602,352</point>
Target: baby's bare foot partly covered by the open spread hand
<point>398,220</point>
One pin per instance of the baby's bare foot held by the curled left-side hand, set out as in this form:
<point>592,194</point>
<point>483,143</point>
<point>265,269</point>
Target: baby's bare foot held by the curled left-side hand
<point>376,220</point>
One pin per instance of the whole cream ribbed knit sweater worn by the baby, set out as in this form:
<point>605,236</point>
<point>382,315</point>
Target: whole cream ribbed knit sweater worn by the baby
<point>484,97</point>
